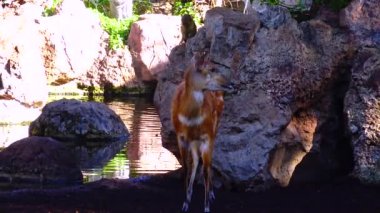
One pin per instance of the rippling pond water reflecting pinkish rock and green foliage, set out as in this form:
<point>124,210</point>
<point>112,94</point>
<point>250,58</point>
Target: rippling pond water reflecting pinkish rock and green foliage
<point>142,154</point>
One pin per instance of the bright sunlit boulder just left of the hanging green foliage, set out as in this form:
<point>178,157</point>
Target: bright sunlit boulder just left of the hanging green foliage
<point>73,42</point>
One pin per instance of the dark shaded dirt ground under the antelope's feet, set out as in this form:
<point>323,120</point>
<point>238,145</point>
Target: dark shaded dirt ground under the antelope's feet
<point>165,193</point>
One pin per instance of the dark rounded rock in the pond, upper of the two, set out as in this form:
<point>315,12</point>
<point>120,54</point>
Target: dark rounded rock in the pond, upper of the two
<point>80,122</point>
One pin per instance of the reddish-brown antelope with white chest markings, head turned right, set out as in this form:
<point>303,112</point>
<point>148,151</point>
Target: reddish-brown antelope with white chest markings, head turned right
<point>195,112</point>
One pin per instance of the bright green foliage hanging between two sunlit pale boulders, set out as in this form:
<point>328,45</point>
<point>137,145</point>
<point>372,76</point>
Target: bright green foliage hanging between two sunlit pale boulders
<point>118,30</point>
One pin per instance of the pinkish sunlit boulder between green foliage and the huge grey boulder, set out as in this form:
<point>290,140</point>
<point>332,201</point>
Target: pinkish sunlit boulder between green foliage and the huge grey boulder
<point>150,41</point>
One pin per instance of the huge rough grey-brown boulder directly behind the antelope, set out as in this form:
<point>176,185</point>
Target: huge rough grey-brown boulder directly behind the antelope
<point>282,70</point>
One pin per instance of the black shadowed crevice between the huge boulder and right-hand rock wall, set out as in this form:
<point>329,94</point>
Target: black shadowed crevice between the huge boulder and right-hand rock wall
<point>334,158</point>
